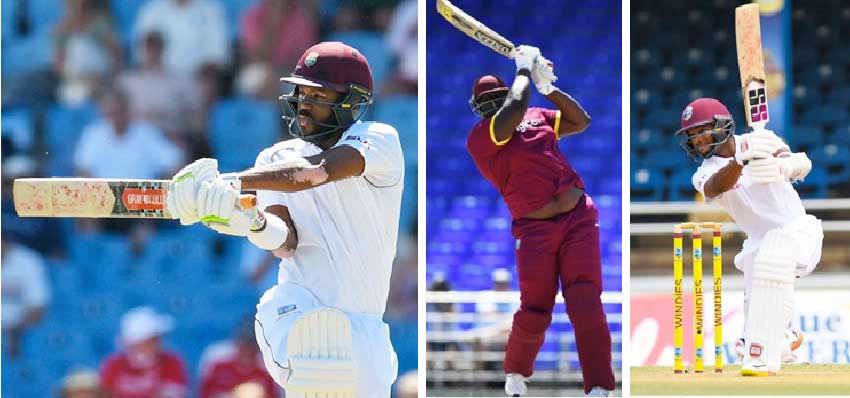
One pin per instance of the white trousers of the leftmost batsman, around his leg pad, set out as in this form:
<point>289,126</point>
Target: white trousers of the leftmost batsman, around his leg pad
<point>373,355</point>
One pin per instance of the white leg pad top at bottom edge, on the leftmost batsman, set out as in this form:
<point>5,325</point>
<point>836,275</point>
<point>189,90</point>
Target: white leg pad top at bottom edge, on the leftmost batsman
<point>319,347</point>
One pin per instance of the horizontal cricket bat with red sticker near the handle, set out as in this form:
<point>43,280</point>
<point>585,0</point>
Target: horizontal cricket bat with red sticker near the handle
<point>96,198</point>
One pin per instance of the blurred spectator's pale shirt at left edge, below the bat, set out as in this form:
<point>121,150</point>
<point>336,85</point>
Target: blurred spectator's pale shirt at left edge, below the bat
<point>25,290</point>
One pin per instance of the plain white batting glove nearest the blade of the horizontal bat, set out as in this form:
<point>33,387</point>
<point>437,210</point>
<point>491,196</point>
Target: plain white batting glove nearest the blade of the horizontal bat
<point>182,192</point>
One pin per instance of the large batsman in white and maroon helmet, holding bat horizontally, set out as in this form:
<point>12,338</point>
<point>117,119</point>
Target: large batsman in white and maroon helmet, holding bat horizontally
<point>328,204</point>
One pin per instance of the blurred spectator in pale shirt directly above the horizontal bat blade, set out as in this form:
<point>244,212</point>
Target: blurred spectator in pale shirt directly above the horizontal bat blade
<point>117,146</point>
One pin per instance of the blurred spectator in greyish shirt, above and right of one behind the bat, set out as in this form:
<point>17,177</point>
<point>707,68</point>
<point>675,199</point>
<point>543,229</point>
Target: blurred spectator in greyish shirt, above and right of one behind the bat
<point>157,96</point>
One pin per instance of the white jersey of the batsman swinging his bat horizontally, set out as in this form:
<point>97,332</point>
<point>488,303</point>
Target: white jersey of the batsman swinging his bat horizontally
<point>347,229</point>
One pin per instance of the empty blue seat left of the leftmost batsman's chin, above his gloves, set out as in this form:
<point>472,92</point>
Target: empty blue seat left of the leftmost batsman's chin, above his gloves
<point>240,129</point>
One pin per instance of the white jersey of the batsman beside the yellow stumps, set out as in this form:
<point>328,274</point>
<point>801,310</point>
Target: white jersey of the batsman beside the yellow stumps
<point>756,208</point>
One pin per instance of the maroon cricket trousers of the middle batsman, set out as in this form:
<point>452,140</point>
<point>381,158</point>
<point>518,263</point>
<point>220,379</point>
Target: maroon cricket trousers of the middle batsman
<point>563,248</point>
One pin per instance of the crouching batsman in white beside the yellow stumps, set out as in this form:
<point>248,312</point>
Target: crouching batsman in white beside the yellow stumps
<point>750,176</point>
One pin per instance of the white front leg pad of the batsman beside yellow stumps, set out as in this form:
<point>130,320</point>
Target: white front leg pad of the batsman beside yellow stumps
<point>773,278</point>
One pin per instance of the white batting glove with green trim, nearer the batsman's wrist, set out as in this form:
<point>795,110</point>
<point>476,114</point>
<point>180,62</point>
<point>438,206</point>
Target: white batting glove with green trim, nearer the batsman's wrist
<point>219,209</point>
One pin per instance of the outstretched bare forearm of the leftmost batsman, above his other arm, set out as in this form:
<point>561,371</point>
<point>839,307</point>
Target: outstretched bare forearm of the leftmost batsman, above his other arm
<point>283,178</point>
